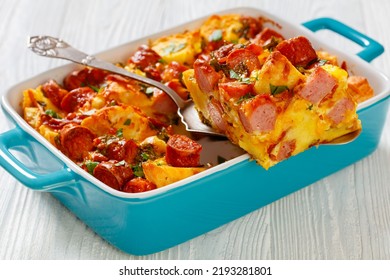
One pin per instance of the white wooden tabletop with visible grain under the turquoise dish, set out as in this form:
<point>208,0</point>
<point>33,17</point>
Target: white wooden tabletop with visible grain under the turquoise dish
<point>344,216</point>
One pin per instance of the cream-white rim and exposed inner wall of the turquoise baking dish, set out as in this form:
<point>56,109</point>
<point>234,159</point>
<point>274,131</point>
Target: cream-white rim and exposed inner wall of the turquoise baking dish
<point>211,149</point>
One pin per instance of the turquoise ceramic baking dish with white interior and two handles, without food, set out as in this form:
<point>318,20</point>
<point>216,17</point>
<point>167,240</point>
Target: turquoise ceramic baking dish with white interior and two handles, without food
<point>149,222</point>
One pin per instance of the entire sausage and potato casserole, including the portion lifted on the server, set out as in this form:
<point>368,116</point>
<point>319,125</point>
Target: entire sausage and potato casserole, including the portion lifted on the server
<point>271,96</point>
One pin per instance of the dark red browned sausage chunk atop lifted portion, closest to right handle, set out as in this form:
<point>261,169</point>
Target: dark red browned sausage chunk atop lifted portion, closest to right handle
<point>298,51</point>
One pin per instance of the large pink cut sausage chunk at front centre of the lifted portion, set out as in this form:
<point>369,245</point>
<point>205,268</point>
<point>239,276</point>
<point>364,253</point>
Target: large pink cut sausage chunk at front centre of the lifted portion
<point>258,114</point>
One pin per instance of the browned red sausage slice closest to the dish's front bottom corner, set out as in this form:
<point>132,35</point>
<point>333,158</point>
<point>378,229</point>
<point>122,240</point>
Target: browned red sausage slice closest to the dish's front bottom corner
<point>113,173</point>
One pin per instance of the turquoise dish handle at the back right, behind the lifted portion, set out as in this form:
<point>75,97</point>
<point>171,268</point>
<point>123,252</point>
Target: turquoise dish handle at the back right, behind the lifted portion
<point>372,48</point>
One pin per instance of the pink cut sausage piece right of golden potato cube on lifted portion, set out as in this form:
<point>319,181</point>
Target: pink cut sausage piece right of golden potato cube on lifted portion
<point>319,84</point>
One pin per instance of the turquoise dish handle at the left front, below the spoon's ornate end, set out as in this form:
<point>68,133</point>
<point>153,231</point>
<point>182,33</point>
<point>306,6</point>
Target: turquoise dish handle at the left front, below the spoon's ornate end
<point>20,171</point>
